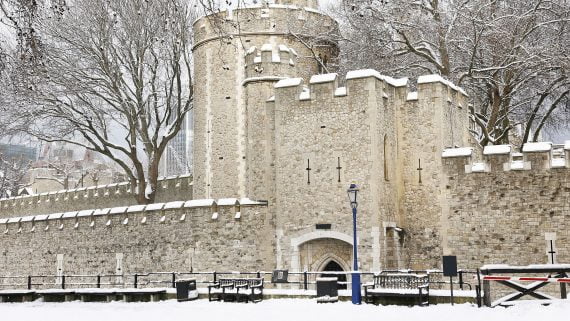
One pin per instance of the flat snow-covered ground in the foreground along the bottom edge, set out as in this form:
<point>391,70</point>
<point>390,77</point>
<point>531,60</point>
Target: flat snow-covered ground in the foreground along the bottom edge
<point>272,310</point>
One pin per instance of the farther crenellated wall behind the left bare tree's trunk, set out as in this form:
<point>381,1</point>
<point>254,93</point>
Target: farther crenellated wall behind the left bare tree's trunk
<point>169,189</point>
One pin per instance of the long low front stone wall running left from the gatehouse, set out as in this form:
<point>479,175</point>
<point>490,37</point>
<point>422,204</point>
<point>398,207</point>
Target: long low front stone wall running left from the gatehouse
<point>183,238</point>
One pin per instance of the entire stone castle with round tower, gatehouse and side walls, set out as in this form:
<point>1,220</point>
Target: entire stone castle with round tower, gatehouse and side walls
<point>276,146</point>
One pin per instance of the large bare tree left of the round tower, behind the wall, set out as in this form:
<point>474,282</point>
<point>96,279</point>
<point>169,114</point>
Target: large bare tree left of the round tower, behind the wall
<point>115,79</point>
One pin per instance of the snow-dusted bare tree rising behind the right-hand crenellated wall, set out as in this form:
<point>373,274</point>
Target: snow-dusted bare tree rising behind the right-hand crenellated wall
<point>511,56</point>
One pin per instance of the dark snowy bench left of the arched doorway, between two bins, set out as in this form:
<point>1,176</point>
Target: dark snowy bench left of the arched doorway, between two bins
<point>238,290</point>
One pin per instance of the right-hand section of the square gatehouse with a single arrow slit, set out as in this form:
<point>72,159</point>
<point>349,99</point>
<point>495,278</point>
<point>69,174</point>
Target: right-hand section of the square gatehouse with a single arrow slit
<point>432,119</point>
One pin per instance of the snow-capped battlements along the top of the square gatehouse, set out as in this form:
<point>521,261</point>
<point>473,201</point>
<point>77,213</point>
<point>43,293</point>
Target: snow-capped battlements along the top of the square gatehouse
<point>327,86</point>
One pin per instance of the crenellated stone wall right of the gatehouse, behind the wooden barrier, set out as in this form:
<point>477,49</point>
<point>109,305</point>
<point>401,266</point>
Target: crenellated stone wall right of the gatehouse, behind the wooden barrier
<point>503,211</point>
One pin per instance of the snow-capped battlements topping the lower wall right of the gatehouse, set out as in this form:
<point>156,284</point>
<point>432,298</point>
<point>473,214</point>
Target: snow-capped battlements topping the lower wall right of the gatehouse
<point>501,158</point>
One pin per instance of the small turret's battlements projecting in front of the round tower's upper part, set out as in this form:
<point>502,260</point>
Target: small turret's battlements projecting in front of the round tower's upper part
<point>270,61</point>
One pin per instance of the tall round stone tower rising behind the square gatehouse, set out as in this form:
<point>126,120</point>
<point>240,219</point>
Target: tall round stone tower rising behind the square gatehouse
<point>238,56</point>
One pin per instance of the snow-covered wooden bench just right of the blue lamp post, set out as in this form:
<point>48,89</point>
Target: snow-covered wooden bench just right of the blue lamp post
<point>398,286</point>
